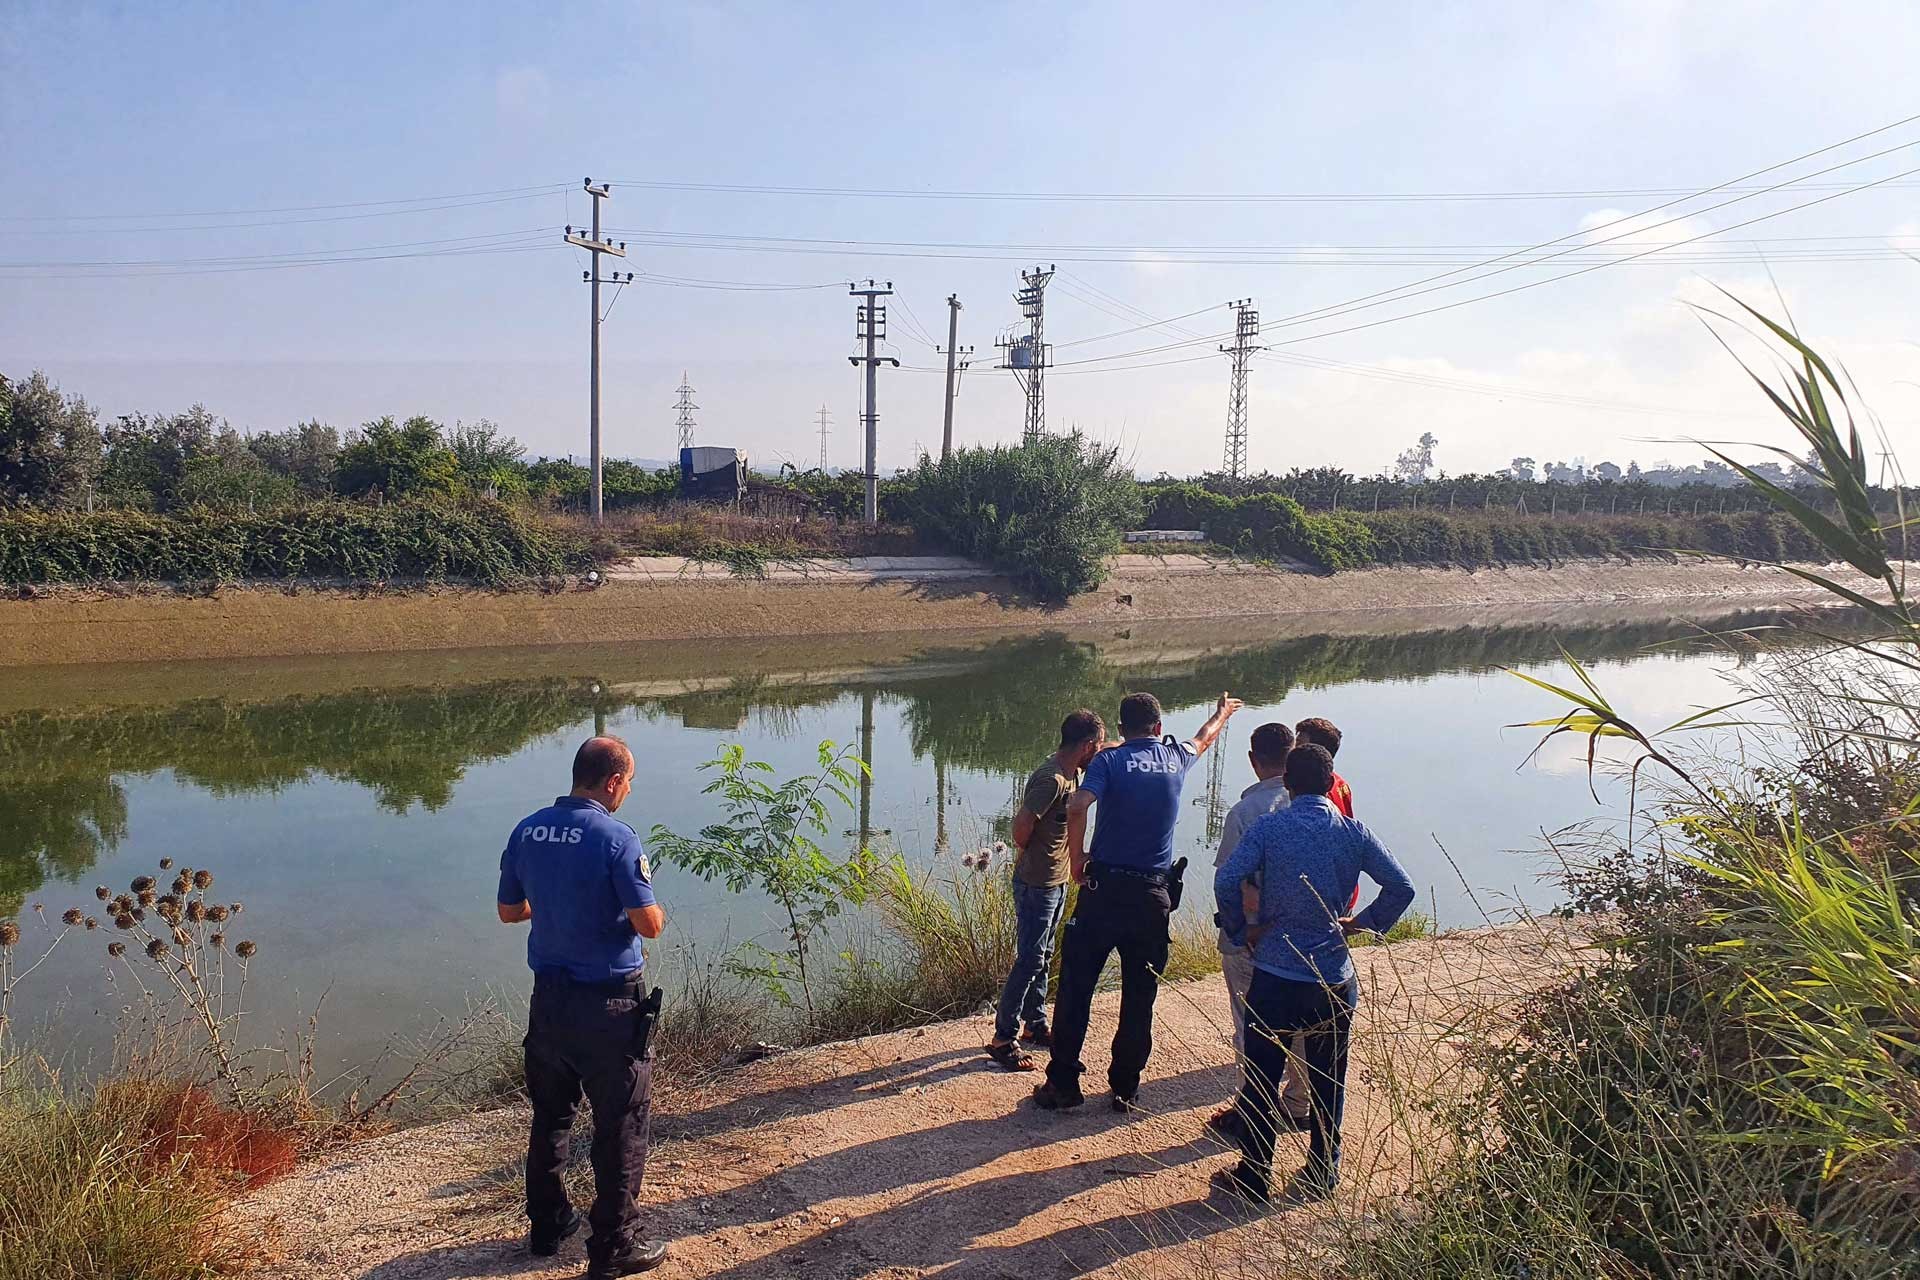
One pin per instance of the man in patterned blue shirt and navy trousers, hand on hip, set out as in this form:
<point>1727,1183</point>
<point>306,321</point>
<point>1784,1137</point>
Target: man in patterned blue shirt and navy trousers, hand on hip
<point>1308,861</point>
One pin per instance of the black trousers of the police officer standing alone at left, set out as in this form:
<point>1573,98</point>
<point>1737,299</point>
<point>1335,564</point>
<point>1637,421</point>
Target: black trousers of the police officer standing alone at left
<point>585,1039</point>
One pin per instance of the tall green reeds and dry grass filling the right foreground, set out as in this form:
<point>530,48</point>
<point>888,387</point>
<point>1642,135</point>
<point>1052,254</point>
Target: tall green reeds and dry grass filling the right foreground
<point>1731,1087</point>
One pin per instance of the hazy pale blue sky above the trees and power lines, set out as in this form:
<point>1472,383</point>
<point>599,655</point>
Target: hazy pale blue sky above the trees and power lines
<point>183,133</point>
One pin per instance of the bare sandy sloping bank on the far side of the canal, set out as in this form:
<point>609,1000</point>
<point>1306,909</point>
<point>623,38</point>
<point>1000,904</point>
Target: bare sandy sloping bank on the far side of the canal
<point>243,623</point>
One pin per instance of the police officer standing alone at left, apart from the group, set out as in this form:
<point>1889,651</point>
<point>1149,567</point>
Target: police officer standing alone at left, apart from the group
<point>581,876</point>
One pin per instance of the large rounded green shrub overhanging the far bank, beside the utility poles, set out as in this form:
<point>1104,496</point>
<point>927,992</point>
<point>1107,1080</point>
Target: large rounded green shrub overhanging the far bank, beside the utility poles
<point>1045,513</point>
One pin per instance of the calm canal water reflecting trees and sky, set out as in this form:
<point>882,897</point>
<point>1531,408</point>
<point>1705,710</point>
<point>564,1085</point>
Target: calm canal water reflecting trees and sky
<point>358,805</point>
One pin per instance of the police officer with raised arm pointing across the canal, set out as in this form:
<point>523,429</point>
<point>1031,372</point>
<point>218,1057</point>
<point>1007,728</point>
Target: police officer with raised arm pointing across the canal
<point>1126,899</point>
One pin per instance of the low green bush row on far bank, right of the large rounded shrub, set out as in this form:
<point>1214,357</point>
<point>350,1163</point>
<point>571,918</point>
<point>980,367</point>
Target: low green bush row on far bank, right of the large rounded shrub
<point>1268,525</point>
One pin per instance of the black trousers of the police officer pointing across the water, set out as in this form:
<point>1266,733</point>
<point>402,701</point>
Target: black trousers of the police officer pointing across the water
<point>1132,916</point>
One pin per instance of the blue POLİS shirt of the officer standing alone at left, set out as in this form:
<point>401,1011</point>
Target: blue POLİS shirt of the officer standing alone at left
<point>583,870</point>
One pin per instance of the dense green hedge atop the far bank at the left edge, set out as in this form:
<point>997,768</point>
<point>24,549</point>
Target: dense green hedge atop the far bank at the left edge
<point>469,542</point>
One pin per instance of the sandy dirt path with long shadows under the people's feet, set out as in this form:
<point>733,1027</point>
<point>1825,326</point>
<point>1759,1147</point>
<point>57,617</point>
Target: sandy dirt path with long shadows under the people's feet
<point>911,1156</point>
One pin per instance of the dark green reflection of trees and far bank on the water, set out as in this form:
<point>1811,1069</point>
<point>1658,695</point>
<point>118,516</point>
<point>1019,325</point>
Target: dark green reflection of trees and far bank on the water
<point>974,707</point>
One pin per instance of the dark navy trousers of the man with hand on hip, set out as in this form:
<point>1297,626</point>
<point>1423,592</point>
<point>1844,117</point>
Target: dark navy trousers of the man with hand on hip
<point>1324,1016</point>
